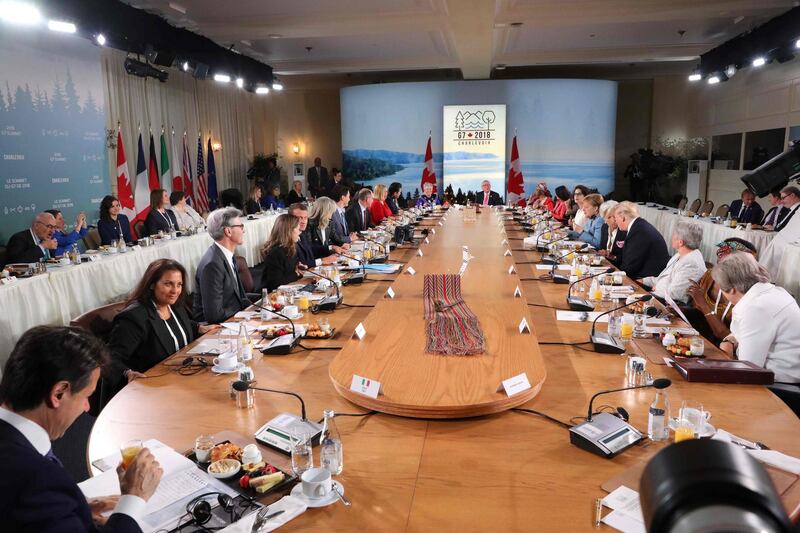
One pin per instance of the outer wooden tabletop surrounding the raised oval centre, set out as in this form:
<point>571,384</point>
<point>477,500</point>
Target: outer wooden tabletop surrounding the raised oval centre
<point>508,471</point>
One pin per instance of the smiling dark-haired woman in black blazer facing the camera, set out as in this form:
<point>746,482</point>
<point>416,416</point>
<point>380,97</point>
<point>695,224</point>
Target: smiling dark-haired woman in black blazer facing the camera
<point>155,323</point>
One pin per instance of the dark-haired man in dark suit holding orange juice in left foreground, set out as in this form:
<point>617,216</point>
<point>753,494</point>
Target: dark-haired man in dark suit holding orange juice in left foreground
<point>46,385</point>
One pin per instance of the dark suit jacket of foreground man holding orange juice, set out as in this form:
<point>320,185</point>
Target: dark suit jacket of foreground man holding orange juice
<point>38,495</point>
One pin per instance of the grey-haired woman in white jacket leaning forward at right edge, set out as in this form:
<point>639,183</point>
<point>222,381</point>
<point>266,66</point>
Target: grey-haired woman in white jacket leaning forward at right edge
<point>764,328</point>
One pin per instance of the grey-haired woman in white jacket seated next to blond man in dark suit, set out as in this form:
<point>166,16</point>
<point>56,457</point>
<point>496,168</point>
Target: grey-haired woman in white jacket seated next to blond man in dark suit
<point>686,266</point>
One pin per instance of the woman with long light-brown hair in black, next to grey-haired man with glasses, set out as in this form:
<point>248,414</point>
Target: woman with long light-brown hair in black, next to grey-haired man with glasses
<point>280,255</point>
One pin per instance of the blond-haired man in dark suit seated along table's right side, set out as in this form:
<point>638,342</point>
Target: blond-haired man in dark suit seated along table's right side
<point>644,252</point>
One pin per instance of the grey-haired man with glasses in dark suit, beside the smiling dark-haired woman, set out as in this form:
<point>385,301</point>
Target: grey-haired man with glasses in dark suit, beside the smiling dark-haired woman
<point>219,293</point>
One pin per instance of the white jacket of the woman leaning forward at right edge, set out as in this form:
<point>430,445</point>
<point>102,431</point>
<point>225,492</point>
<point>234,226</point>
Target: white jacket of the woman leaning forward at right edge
<point>765,325</point>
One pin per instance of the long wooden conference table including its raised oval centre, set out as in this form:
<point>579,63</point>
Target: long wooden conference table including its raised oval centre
<point>507,471</point>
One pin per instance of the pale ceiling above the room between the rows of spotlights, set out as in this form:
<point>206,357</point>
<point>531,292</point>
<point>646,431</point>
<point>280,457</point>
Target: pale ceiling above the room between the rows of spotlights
<point>471,35</point>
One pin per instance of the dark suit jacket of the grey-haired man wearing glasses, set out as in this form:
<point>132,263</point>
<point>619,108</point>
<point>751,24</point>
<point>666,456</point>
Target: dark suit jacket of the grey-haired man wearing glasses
<point>217,294</point>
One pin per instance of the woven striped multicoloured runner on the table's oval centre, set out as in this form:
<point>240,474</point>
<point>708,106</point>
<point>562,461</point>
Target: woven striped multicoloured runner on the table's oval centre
<point>450,326</point>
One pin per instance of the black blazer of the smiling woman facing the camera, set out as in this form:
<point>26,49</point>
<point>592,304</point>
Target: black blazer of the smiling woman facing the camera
<point>140,340</point>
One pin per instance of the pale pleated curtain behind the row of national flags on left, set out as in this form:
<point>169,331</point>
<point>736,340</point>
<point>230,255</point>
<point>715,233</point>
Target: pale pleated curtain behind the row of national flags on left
<point>231,116</point>
